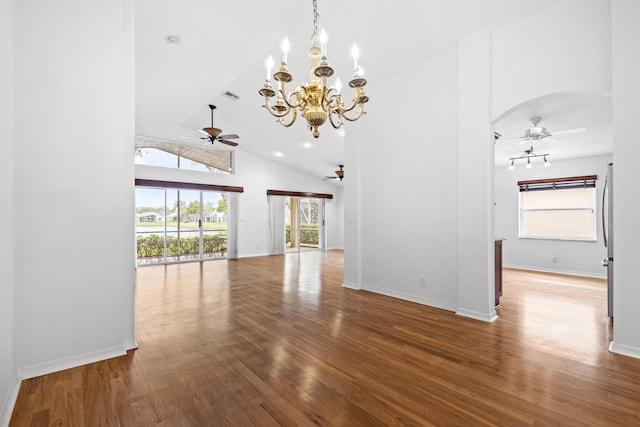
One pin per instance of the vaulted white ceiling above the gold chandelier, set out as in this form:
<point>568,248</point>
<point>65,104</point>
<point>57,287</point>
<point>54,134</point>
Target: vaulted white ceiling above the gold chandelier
<point>223,46</point>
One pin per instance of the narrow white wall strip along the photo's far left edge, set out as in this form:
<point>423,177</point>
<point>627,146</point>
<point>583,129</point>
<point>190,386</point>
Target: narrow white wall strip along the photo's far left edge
<point>8,378</point>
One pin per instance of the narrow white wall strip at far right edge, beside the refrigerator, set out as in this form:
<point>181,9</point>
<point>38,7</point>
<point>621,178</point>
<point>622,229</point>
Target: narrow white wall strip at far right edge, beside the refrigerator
<point>626,152</point>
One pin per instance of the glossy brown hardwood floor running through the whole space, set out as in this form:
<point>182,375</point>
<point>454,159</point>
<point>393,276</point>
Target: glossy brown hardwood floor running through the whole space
<point>277,341</point>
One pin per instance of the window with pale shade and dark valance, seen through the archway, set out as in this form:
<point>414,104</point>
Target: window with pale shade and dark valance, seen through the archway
<point>560,208</point>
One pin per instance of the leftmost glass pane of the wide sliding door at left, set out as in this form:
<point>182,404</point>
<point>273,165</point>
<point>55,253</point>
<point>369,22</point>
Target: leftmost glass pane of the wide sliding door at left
<point>150,225</point>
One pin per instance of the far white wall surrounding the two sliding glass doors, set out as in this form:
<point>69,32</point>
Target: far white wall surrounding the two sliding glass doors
<point>257,175</point>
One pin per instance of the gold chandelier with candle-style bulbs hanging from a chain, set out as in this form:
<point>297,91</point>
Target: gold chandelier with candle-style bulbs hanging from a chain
<point>316,101</point>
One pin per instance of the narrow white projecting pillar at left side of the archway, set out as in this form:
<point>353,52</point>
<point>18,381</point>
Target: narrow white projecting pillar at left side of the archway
<point>475,186</point>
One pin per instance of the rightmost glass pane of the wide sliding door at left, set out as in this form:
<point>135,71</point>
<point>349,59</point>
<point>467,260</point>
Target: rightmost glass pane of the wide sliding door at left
<point>215,217</point>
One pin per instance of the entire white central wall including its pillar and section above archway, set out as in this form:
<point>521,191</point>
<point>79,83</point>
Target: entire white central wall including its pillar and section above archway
<point>565,47</point>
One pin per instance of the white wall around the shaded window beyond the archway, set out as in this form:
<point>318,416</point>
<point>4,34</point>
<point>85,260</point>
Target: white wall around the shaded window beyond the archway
<point>573,257</point>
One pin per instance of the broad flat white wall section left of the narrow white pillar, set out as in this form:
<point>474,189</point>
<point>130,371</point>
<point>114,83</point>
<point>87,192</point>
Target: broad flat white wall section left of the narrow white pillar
<point>408,181</point>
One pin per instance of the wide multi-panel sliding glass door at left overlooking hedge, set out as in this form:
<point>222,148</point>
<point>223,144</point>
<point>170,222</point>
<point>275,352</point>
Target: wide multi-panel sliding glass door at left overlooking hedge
<point>179,225</point>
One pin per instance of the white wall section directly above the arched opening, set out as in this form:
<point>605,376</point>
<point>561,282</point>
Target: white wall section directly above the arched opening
<point>564,47</point>
